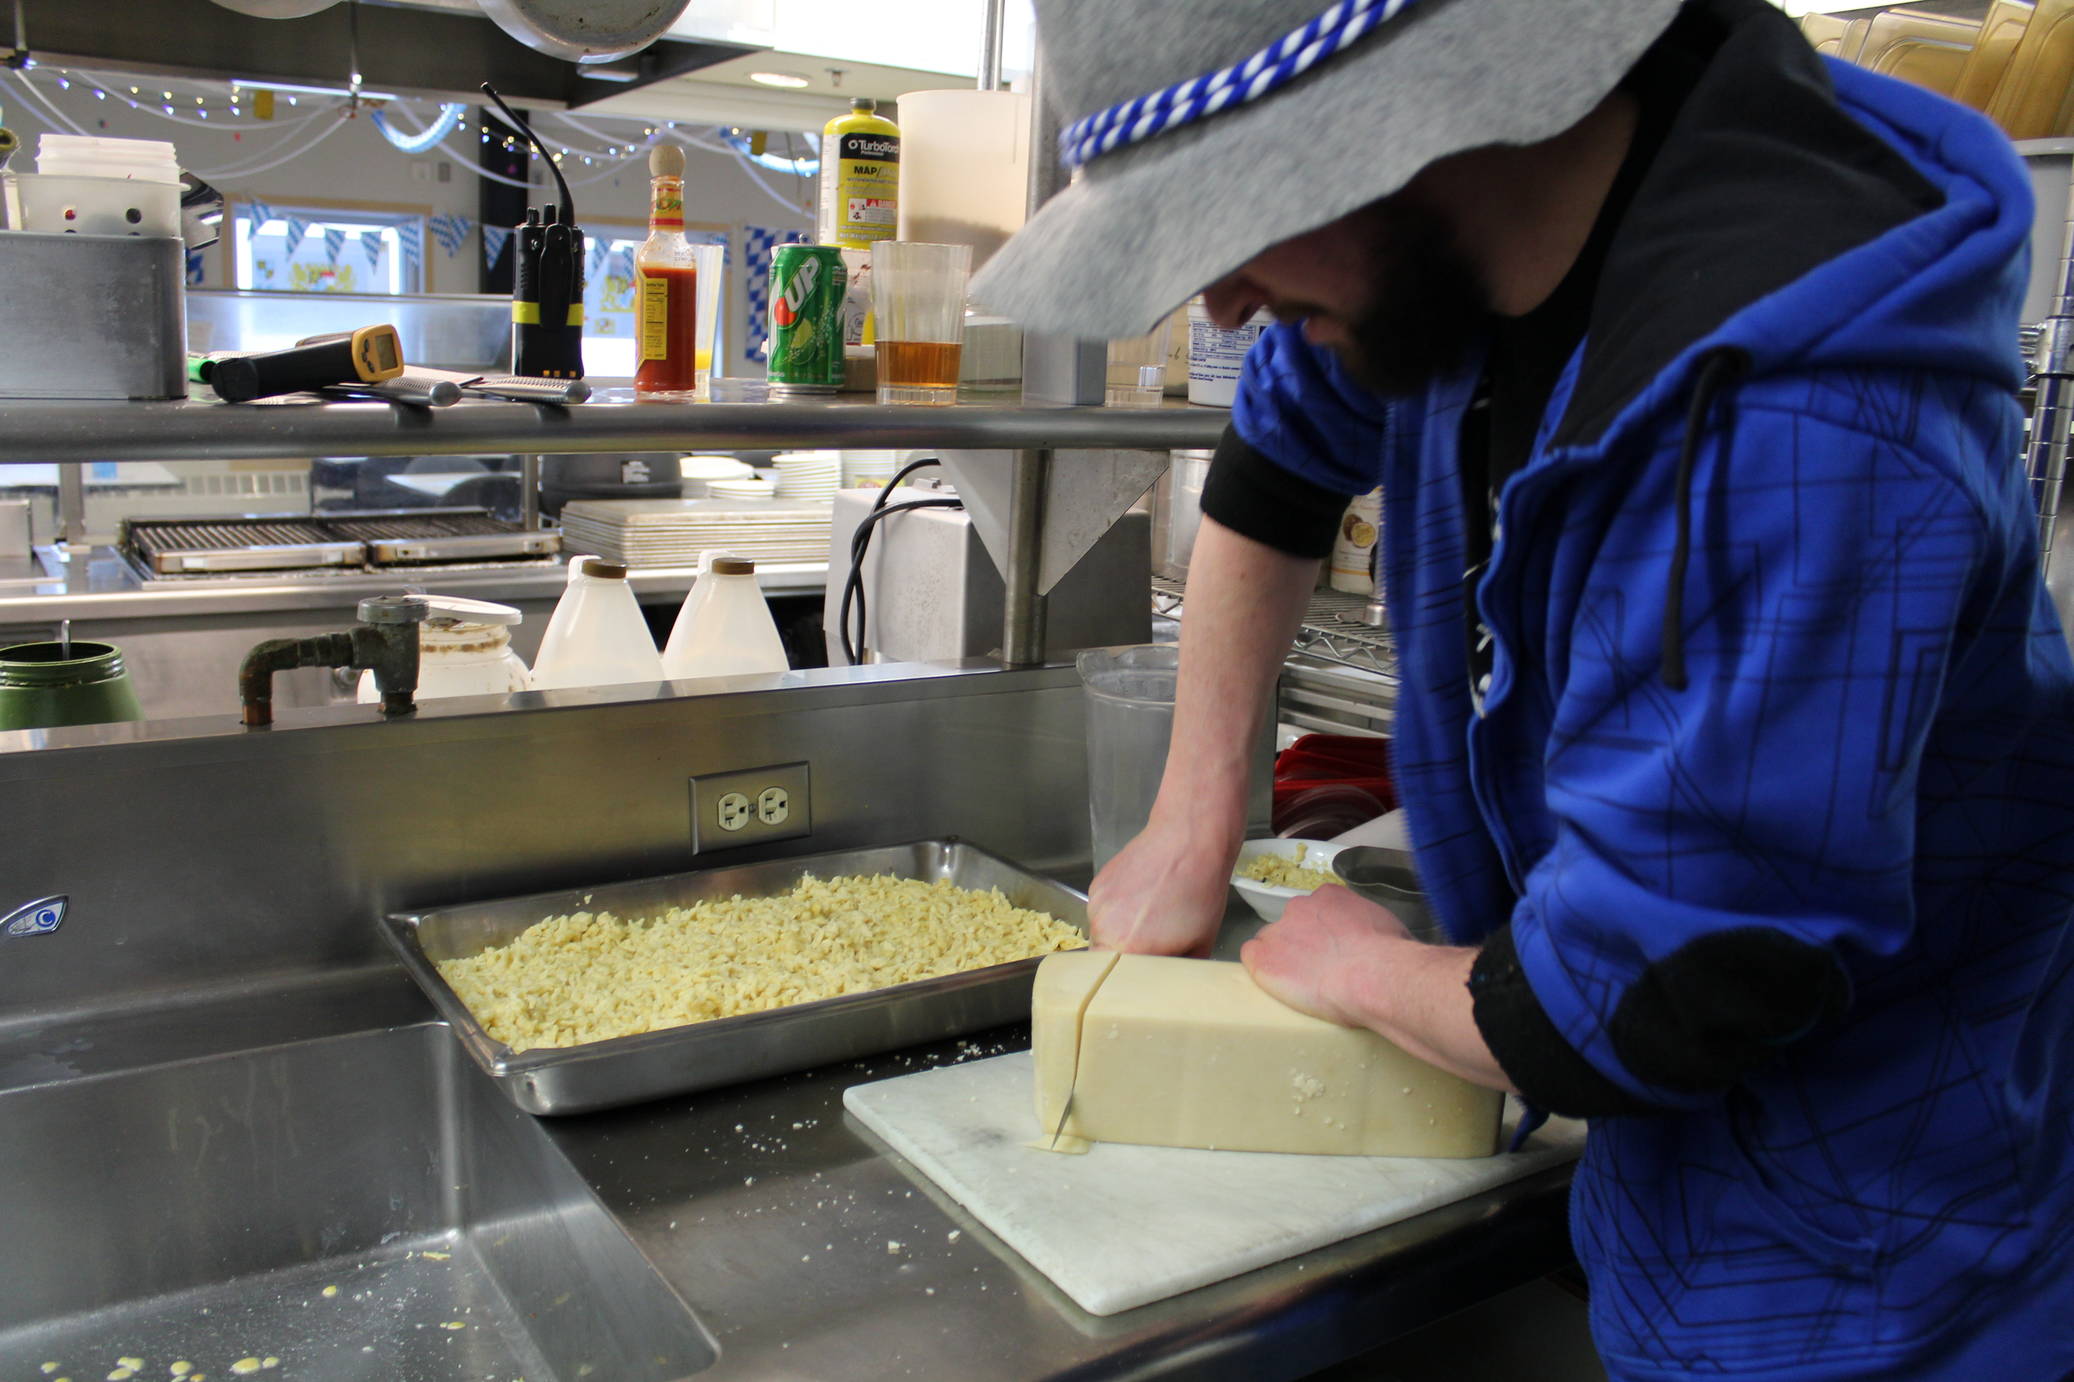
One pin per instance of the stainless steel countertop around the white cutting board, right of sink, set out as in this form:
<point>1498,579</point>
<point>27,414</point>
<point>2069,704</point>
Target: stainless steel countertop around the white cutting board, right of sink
<point>773,1213</point>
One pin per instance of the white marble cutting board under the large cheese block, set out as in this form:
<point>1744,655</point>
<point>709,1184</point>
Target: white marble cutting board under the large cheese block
<point>1125,1225</point>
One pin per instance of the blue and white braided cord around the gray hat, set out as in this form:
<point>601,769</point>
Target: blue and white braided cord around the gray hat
<point>1270,70</point>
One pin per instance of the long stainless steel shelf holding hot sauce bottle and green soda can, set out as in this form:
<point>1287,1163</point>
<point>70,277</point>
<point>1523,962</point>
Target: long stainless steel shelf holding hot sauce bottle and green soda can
<point>246,433</point>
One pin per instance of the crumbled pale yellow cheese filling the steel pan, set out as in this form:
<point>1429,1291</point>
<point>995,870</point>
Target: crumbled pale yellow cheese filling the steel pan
<point>594,976</point>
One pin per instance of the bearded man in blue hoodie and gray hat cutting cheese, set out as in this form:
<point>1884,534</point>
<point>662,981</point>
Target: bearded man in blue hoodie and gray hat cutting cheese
<point>1735,727</point>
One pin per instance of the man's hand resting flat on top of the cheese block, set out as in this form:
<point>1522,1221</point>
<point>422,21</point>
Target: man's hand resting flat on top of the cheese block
<point>1320,956</point>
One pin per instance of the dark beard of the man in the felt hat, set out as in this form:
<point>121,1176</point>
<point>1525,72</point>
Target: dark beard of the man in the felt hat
<point>1428,308</point>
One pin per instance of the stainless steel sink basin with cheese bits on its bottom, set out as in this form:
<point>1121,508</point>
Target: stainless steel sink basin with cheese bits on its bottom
<point>360,1207</point>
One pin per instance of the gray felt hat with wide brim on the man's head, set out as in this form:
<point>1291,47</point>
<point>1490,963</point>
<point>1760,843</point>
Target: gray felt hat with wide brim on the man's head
<point>1152,223</point>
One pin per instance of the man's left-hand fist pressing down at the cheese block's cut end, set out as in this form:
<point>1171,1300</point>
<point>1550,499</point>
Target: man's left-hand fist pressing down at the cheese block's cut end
<point>1162,895</point>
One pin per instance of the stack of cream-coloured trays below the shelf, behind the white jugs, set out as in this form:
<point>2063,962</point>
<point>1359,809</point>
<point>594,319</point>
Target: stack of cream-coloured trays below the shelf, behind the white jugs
<point>679,532</point>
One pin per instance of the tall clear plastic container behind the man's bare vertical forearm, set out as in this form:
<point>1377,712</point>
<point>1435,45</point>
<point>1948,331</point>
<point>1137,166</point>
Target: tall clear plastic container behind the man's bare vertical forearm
<point>1129,723</point>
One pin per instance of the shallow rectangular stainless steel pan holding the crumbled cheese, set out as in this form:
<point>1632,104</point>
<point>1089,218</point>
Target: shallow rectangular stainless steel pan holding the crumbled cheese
<point>731,1049</point>
